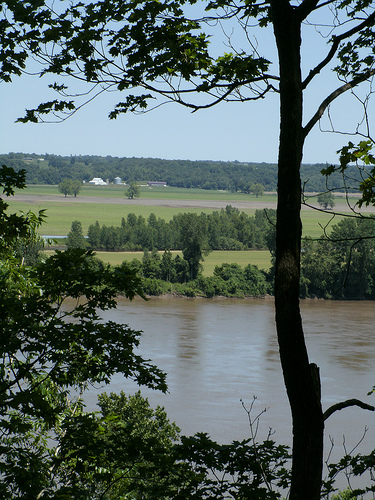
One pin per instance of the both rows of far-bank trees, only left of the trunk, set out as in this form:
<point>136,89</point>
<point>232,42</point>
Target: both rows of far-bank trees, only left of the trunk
<point>195,235</point>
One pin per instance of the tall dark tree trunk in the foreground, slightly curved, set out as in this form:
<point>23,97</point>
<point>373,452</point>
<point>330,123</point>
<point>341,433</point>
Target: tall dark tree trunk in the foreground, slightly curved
<point>301,379</point>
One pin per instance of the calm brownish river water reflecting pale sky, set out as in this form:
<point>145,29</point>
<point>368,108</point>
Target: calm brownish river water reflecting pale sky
<point>218,352</point>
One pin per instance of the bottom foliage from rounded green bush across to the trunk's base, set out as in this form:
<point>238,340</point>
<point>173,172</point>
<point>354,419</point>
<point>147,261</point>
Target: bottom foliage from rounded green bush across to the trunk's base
<point>129,450</point>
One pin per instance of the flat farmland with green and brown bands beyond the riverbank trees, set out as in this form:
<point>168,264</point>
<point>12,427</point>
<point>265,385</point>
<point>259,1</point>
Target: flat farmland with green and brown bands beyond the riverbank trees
<point>108,204</point>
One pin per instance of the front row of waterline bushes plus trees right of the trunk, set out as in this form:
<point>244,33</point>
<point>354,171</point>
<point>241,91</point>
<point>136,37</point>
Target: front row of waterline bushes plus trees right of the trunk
<point>340,267</point>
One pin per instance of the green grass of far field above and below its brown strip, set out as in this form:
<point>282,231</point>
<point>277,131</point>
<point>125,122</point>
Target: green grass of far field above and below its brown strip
<point>61,214</point>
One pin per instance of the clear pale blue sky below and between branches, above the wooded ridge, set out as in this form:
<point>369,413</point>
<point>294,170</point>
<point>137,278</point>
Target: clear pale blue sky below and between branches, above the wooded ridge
<point>236,131</point>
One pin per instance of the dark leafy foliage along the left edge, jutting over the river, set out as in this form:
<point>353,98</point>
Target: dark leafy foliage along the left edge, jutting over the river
<point>54,342</point>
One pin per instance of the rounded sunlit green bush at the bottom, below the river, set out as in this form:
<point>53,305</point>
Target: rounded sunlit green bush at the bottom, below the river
<point>123,452</point>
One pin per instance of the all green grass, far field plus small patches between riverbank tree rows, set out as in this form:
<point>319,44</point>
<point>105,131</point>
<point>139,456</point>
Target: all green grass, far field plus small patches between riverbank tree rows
<point>62,213</point>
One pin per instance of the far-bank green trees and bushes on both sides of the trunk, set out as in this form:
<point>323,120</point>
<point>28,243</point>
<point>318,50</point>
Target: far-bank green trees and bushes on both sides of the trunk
<point>341,266</point>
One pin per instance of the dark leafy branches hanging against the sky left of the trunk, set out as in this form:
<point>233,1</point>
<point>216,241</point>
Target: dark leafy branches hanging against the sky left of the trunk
<point>130,45</point>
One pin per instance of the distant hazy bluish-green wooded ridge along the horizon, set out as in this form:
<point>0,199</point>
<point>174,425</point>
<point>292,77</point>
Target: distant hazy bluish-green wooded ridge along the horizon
<point>231,176</point>
